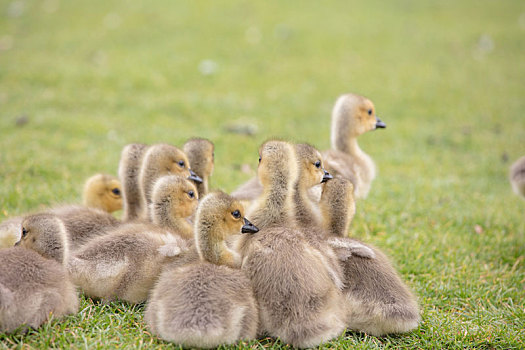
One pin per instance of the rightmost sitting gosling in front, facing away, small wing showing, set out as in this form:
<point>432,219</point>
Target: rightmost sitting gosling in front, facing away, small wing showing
<point>377,301</point>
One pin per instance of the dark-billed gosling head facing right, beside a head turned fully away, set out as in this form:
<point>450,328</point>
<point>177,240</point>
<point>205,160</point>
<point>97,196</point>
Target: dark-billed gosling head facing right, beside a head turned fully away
<point>311,169</point>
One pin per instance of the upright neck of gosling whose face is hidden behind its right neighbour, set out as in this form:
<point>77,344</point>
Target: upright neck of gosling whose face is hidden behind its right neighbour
<point>128,173</point>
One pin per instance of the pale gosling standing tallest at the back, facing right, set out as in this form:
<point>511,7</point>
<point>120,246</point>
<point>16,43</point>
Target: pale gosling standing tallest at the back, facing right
<point>352,115</point>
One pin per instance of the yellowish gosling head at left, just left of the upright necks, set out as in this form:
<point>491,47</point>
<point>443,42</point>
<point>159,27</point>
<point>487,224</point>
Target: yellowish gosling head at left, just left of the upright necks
<point>103,192</point>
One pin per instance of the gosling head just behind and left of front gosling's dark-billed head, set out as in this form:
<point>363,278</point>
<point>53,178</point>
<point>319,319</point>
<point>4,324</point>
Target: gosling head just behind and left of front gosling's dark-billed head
<point>173,197</point>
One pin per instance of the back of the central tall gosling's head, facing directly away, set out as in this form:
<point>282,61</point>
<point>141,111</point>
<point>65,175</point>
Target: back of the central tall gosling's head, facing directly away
<point>277,164</point>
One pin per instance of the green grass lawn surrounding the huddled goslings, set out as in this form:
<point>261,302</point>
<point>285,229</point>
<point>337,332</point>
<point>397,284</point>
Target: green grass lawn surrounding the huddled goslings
<point>447,77</point>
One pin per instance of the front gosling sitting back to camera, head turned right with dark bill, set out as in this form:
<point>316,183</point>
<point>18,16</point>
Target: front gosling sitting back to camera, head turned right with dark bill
<point>210,302</point>
